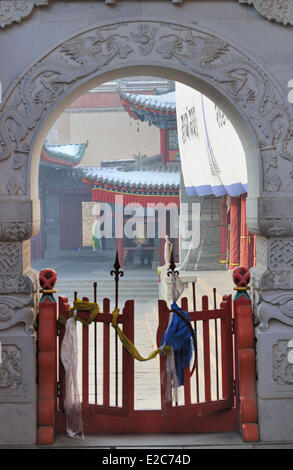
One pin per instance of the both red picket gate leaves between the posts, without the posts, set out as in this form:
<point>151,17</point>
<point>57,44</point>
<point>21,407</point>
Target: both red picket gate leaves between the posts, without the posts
<point>208,405</point>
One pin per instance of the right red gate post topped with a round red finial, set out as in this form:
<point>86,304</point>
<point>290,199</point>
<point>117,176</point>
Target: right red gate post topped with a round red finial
<point>245,356</point>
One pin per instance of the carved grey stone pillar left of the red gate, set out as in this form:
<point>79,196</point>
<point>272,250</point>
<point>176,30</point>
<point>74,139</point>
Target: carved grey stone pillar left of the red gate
<point>18,302</point>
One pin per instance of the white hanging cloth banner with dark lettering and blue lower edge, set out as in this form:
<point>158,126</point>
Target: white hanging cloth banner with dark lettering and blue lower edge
<point>211,153</point>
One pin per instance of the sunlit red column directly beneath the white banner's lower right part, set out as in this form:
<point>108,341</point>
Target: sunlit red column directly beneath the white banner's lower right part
<point>234,258</point>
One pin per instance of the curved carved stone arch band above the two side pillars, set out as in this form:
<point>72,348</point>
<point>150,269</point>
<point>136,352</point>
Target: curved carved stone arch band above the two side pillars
<point>191,54</point>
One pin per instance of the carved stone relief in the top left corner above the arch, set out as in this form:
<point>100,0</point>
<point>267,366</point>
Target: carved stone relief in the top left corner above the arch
<point>13,11</point>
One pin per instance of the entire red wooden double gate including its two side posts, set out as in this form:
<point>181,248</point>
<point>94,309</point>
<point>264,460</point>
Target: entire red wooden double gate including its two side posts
<point>212,400</point>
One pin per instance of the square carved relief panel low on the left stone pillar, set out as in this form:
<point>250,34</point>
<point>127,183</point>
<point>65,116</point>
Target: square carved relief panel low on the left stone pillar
<point>10,367</point>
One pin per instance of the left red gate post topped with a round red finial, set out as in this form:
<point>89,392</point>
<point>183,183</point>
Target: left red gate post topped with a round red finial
<point>47,358</point>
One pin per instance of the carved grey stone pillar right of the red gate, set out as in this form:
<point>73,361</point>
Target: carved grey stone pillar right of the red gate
<point>273,310</point>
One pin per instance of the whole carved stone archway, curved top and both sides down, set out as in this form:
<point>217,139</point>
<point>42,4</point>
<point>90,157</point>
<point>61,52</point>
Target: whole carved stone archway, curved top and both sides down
<point>247,93</point>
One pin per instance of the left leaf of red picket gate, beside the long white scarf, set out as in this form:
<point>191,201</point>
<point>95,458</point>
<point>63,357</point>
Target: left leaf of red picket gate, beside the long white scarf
<point>126,362</point>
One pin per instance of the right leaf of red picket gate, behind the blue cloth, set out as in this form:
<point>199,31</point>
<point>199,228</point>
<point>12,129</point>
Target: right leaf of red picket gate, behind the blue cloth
<point>216,380</point>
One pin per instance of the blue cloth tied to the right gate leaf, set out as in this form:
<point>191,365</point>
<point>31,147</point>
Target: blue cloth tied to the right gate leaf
<point>178,335</point>
